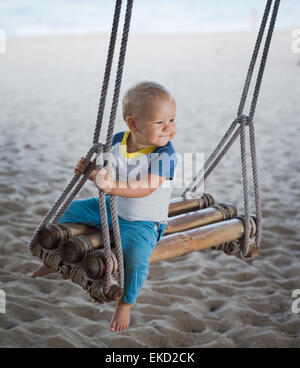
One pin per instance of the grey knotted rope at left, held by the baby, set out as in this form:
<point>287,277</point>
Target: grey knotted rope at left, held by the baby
<point>78,180</point>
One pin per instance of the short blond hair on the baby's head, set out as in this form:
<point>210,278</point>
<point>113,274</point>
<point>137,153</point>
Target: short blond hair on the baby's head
<point>142,94</point>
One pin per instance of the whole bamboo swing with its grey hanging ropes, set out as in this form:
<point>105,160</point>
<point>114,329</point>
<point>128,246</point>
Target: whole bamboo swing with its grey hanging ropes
<point>93,258</point>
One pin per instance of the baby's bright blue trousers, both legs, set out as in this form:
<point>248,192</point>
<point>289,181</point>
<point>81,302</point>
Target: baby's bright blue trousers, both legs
<point>138,241</point>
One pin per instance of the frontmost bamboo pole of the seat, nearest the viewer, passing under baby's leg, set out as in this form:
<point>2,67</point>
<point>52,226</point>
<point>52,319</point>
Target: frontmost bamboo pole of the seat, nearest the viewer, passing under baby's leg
<point>179,244</point>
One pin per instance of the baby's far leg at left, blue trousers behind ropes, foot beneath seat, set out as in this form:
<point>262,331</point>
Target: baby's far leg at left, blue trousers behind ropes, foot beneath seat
<point>85,211</point>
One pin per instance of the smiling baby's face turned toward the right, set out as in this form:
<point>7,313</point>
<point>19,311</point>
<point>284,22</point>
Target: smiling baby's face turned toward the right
<point>156,124</point>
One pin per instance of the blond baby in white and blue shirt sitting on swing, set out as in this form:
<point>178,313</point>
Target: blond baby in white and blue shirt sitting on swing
<point>145,162</point>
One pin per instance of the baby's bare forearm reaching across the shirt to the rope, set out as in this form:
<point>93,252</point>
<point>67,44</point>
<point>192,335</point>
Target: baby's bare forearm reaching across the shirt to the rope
<point>132,189</point>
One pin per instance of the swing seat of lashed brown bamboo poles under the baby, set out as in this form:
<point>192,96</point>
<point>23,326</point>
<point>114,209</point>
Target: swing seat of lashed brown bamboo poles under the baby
<point>76,250</point>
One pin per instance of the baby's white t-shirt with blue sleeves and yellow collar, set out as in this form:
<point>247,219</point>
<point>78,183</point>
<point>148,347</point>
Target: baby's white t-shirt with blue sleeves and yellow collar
<point>133,166</point>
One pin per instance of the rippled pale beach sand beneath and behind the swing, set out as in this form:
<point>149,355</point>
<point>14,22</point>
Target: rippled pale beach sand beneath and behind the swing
<point>49,90</point>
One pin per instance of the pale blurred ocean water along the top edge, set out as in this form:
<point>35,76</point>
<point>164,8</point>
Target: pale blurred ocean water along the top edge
<point>37,17</point>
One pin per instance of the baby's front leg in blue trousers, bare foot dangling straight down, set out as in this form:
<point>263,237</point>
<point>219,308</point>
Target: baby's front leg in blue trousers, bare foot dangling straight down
<point>138,241</point>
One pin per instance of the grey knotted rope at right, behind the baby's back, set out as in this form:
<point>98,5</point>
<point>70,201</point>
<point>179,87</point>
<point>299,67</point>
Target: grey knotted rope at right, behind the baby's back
<point>234,131</point>
